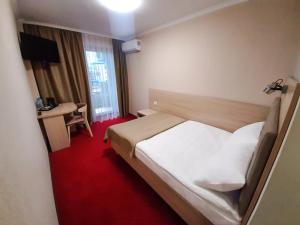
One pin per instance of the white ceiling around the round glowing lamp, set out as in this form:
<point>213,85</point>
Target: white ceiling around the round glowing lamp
<point>91,16</point>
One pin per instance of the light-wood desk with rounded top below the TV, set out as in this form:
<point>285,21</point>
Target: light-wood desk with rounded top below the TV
<point>55,125</point>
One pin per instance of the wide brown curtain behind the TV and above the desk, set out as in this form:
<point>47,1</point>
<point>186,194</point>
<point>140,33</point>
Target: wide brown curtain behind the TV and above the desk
<point>65,81</point>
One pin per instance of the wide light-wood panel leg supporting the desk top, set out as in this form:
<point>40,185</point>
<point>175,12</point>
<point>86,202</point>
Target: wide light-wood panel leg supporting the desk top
<point>56,132</point>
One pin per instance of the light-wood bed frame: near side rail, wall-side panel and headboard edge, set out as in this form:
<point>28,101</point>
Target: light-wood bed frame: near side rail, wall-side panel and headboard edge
<point>225,114</point>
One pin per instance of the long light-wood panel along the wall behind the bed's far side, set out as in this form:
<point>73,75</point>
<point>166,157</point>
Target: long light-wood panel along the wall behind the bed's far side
<point>225,114</point>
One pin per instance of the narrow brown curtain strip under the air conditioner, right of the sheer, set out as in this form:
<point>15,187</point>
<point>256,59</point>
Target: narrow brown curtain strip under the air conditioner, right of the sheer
<point>121,77</point>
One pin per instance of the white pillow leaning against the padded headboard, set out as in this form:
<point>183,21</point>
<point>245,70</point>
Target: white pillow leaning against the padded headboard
<point>227,169</point>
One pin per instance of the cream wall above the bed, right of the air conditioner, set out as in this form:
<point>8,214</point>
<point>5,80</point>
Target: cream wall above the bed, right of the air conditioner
<point>231,53</point>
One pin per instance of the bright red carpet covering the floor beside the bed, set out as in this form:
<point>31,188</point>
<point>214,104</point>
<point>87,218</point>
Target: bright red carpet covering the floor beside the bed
<point>94,186</point>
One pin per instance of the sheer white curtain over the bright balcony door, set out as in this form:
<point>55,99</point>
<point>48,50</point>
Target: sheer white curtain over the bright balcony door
<point>102,77</point>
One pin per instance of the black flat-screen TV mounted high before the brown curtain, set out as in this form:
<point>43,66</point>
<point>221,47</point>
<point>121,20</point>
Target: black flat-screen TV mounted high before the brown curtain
<point>38,49</point>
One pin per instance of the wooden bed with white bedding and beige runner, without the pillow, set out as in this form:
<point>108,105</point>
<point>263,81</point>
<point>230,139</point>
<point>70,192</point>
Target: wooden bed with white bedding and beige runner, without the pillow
<point>156,154</point>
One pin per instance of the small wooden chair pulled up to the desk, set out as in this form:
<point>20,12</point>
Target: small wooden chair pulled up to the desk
<point>79,118</point>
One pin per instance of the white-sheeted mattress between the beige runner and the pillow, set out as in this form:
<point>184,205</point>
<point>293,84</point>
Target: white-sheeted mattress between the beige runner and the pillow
<point>176,155</point>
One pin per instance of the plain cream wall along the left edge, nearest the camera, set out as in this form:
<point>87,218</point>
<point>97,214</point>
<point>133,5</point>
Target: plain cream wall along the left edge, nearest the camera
<point>26,196</point>
